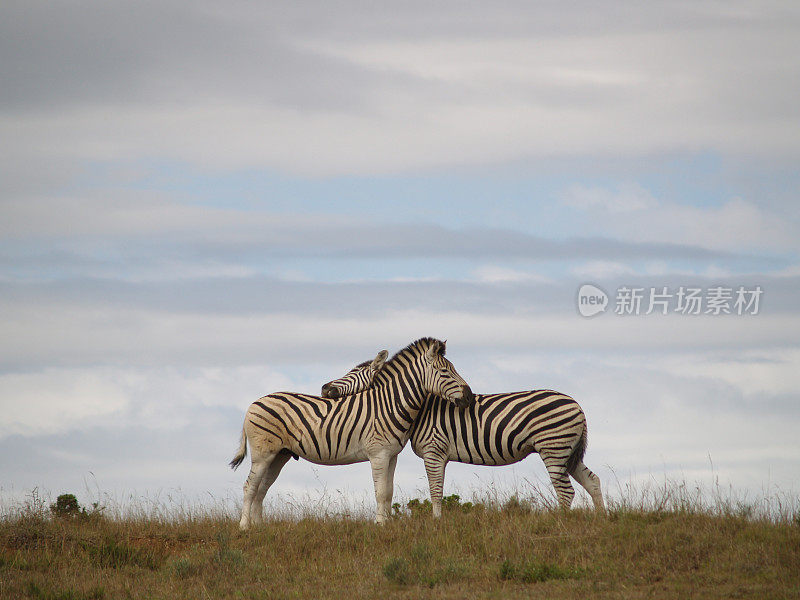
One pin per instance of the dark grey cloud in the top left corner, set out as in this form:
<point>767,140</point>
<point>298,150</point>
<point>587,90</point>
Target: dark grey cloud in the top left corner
<point>145,53</point>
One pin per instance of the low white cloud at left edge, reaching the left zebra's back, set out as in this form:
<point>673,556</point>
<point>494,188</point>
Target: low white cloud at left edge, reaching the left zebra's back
<point>57,400</point>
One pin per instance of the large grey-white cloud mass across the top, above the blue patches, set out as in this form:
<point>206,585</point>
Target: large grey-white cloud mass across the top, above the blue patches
<point>415,89</point>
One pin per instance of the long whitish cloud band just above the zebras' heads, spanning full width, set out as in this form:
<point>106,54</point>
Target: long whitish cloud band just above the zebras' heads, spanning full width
<point>94,335</point>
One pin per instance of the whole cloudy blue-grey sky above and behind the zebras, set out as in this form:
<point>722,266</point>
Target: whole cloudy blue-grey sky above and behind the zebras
<point>201,204</point>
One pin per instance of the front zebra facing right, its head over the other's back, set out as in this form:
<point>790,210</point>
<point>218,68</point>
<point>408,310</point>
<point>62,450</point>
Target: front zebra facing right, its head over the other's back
<point>372,425</point>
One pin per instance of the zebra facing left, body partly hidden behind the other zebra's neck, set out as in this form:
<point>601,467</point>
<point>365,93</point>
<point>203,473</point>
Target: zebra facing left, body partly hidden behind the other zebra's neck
<point>497,429</point>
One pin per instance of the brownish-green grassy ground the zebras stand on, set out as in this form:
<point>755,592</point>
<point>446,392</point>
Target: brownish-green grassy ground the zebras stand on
<point>673,545</point>
